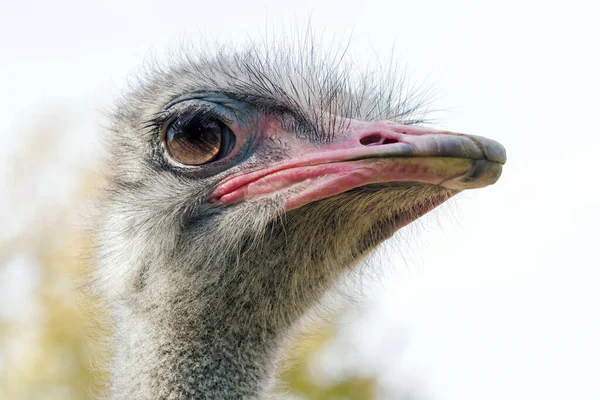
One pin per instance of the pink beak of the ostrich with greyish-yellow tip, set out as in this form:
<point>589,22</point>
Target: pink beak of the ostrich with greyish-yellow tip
<point>368,153</point>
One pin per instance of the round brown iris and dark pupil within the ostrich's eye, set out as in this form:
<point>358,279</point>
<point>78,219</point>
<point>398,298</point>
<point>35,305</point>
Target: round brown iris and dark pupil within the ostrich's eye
<point>195,142</point>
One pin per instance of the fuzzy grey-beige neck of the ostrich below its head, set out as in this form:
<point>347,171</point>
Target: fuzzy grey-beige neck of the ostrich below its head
<point>214,330</point>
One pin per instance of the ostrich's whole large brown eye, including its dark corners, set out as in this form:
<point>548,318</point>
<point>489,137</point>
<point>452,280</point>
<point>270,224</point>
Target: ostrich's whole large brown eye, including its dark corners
<point>198,139</point>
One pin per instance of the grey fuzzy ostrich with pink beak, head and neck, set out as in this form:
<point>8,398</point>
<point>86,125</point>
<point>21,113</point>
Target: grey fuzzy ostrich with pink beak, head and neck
<point>242,185</point>
